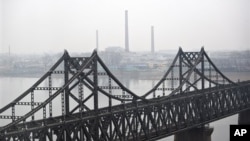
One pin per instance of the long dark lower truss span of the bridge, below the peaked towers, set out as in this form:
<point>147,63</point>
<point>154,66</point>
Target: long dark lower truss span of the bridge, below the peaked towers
<point>144,120</point>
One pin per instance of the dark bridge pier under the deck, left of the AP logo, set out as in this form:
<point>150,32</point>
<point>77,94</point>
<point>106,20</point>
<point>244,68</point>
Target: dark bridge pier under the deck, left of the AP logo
<point>195,134</point>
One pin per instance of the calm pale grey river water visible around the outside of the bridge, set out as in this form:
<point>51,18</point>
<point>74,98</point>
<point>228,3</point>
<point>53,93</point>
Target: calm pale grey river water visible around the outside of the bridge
<point>11,87</point>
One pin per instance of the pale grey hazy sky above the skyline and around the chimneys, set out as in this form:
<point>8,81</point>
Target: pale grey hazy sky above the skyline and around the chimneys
<point>32,26</point>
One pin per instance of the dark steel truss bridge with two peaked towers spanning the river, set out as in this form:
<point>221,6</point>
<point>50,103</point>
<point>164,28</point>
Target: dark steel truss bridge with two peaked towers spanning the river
<point>80,99</point>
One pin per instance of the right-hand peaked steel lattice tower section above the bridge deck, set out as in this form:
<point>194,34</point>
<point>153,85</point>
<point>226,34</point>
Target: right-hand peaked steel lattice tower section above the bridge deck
<point>189,71</point>
